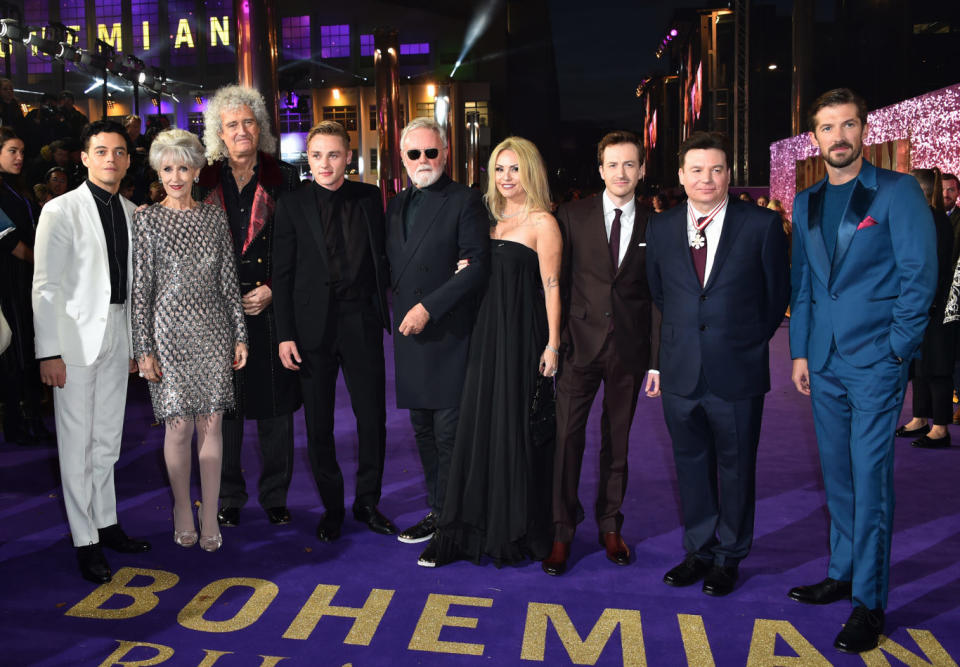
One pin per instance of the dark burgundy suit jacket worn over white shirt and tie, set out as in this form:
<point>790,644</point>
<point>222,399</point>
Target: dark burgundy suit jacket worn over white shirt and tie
<point>593,292</point>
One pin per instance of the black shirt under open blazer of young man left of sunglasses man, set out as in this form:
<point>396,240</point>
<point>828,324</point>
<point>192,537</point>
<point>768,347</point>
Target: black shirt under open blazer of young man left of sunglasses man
<point>349,258</point>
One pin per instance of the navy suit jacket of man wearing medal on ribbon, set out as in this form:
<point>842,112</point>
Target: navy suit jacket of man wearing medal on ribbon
<point>720,330</point>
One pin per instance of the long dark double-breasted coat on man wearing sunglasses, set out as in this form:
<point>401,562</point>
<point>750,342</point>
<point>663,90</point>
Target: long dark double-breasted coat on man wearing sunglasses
<point>452,225</point>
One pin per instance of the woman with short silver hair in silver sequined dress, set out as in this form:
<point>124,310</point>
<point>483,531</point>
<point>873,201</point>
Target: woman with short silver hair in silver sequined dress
<point>188,328</point>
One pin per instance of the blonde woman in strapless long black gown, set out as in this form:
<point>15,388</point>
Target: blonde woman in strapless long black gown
<point>499,490</point>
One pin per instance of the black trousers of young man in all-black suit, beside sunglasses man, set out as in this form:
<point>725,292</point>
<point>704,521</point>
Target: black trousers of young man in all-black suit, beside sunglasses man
<point>352,341</point>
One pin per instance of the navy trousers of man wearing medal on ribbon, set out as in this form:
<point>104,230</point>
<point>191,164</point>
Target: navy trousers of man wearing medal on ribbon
<point>715,450</point>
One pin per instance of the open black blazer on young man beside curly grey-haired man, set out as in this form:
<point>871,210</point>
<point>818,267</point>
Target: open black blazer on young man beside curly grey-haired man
<point>301,277</point>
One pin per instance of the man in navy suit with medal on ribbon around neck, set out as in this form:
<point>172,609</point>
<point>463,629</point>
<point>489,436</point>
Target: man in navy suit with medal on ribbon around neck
<point>719,273</point>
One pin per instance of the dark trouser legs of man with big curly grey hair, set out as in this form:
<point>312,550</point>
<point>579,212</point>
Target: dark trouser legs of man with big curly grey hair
<point>275,436</point>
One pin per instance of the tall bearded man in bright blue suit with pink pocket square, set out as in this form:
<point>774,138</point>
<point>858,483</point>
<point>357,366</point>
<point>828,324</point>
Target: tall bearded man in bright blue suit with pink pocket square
<point>864,275</point>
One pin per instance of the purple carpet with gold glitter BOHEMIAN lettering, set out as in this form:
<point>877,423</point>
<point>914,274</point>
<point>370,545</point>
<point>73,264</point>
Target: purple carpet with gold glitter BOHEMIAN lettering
<point>277,595</point>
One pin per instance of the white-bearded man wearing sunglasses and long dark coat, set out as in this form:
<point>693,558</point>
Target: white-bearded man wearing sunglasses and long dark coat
<point>431,226</point>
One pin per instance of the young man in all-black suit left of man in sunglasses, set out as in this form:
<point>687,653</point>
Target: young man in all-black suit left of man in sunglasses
<point>329,283</point>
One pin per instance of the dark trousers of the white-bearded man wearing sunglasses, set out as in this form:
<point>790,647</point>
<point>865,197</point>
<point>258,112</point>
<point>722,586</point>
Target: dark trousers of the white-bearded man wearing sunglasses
<point>435,432</point>
